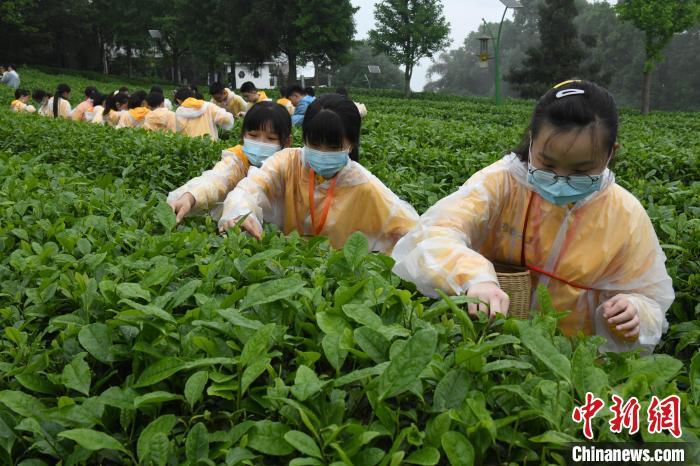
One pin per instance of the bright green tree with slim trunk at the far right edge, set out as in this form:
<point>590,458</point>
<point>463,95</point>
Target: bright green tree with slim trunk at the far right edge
<point>659,21</point>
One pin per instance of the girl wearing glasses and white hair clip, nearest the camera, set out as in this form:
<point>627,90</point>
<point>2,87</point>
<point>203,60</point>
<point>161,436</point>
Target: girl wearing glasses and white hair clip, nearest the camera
<point>552,206</point>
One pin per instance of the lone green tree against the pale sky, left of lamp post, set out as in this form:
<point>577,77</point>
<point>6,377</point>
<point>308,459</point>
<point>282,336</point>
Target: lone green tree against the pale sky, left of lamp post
<point>408,30</point>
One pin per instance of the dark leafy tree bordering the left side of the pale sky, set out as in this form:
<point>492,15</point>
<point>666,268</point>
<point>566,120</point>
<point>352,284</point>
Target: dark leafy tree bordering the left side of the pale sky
<point>326,30</point>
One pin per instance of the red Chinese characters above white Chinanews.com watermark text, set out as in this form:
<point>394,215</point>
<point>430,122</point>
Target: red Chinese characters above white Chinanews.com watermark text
<point>661,416</point>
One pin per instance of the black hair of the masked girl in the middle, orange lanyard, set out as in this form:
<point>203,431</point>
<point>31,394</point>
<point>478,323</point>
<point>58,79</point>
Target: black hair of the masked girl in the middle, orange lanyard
<point>330,119</point>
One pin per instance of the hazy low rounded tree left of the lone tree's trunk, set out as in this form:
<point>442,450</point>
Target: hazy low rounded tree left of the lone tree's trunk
<point>355,73</point>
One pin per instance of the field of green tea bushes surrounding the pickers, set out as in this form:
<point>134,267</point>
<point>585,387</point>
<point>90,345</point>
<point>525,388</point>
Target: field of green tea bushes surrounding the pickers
<point>127,340</point>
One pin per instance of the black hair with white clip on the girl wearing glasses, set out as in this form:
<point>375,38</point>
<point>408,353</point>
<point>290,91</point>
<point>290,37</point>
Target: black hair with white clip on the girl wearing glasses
<point>574,106</point>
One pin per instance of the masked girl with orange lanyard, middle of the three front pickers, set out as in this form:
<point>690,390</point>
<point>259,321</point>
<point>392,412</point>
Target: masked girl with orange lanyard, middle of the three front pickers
<point>321,189</point>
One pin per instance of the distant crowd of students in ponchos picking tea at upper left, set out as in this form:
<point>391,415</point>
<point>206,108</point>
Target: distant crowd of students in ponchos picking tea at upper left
<point>152,111</point>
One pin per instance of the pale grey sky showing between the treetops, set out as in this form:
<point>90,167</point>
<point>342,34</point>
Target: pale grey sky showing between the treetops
<point>464,16</point>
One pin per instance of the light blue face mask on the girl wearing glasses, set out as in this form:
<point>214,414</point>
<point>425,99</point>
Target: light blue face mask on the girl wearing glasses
<point>562,190</point>
